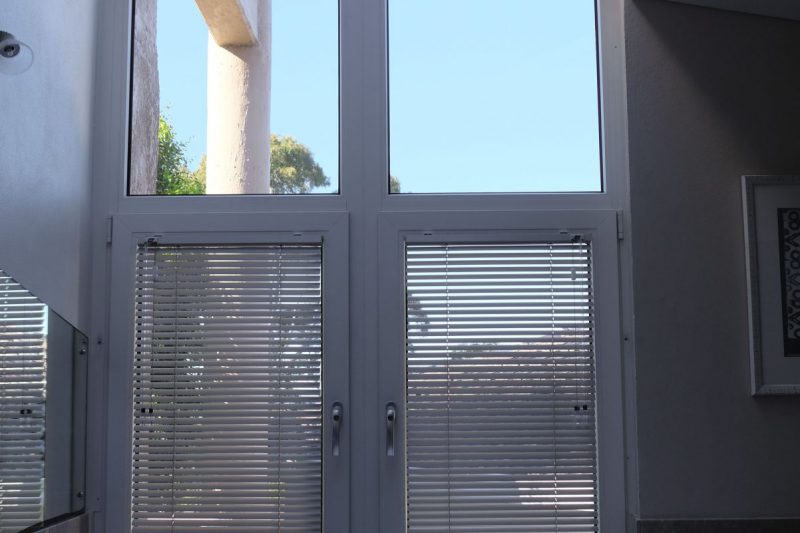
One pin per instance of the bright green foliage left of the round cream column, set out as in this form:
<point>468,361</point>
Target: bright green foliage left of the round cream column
<point>173,176</point>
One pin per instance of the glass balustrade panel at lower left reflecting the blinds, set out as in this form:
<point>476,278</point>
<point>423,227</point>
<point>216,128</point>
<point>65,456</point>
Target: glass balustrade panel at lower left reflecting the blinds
<point>42,421</point>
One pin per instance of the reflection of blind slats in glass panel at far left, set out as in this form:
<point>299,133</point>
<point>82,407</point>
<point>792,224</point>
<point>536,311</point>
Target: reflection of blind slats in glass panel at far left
<point>23,354</point>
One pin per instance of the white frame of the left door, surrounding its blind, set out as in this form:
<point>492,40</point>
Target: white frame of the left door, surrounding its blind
<point>328,230</point>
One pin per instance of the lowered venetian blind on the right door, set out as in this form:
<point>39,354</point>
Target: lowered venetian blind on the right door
<point>500,389</point>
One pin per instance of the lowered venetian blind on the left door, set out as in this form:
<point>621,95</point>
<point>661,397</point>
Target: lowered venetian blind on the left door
<point>227,389</point>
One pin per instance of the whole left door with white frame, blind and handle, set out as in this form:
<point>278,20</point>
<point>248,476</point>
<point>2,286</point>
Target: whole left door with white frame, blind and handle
<point>231,349</point>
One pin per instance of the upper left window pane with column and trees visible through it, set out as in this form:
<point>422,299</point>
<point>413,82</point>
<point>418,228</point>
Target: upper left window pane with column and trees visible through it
<point>234,97</point>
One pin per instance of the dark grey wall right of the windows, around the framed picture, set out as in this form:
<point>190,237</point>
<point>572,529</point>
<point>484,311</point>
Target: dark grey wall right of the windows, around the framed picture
<point>712,95</point>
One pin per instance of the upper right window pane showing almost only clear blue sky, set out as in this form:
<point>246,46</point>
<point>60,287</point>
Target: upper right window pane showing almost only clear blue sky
<point>493,96</point>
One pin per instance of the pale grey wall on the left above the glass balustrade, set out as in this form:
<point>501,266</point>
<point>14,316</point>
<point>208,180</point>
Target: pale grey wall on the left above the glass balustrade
<point>45,144</point>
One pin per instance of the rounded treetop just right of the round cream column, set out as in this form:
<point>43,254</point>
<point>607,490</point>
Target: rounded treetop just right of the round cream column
<point>293,169</point>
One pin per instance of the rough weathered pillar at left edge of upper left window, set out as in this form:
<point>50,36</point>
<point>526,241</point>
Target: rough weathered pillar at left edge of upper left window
<point>145,105</point>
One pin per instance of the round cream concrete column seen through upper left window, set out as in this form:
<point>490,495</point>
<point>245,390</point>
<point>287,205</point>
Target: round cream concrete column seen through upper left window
<point>238,108</point>
